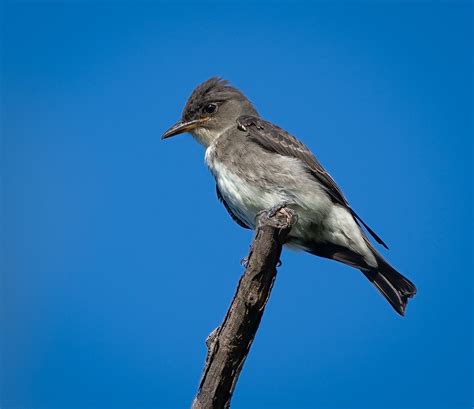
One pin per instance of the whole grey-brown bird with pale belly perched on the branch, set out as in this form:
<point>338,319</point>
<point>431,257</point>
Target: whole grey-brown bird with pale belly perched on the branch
<point>259,166</point>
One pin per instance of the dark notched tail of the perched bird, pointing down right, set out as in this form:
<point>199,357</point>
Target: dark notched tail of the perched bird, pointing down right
<point>396,288</point>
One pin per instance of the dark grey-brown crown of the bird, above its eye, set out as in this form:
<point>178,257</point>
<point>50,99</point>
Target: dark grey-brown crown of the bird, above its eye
<point>214,89</point>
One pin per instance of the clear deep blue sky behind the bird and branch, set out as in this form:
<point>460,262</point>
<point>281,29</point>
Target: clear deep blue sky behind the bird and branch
<point>118,259</point>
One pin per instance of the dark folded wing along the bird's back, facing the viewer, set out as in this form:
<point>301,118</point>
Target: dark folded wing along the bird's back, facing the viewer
<point>275,139</point>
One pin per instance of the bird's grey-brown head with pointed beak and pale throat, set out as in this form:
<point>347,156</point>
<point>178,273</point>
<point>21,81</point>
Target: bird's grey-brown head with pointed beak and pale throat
<point>212,108</point>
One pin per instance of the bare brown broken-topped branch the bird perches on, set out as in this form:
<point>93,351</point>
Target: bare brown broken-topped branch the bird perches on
<point>229,344</point>
